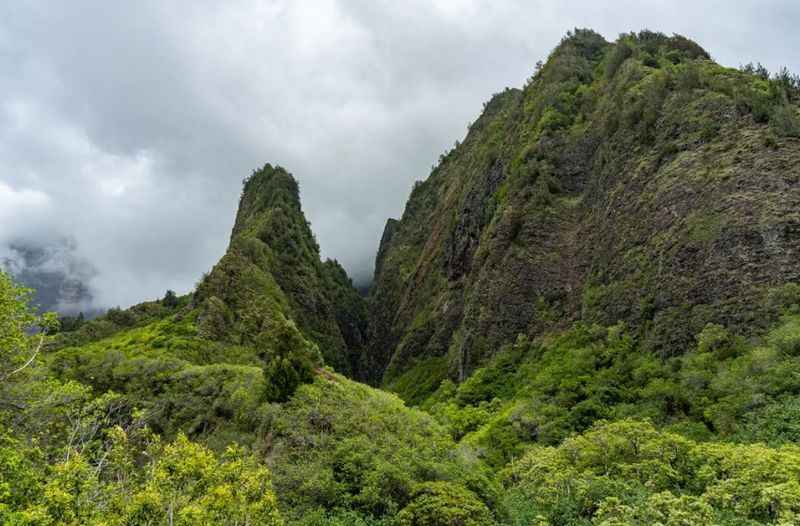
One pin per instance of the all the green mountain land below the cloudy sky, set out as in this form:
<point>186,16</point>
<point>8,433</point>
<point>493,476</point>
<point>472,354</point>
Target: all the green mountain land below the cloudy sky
<point>589,314</point>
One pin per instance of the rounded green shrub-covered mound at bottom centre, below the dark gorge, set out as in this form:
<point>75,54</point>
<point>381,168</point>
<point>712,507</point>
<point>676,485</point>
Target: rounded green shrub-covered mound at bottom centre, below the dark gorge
<point>339,444</point>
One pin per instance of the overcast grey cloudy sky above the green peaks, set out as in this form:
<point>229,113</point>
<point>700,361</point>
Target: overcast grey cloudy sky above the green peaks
<point>127,127</point>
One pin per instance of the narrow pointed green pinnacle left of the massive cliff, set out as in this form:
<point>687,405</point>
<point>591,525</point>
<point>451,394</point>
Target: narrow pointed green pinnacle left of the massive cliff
<point>272,272</point>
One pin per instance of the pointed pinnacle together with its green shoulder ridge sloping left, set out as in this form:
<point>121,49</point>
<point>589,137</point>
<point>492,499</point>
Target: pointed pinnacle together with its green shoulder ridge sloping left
<point>258,324</point>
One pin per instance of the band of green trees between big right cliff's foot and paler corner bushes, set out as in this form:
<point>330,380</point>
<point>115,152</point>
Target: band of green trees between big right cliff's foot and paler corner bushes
<point>542,392</point>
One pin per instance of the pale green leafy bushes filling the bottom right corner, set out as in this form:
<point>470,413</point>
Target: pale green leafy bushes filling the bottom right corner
<point>628,472</point>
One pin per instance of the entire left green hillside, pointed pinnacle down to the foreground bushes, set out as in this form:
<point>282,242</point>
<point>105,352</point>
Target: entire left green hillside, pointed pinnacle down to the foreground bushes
<point>224,366</point>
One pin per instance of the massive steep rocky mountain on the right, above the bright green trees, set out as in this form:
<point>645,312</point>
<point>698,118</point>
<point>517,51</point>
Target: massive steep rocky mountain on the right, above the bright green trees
<point>636,181</point>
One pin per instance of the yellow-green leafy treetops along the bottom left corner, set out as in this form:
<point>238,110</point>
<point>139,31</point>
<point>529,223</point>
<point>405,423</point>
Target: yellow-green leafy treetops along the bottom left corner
<point>180,483</point>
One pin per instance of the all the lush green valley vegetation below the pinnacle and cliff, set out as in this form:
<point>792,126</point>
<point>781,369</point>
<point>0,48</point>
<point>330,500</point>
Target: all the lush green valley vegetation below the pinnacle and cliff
<point>146,427</point>
